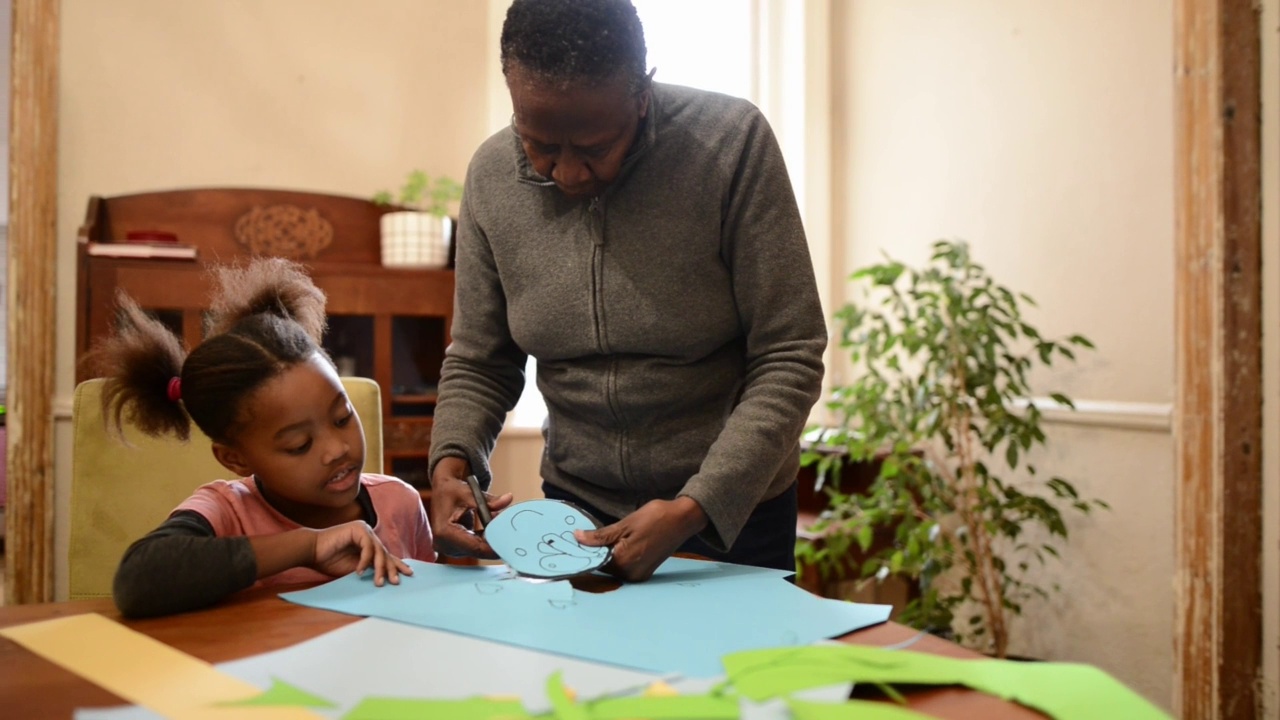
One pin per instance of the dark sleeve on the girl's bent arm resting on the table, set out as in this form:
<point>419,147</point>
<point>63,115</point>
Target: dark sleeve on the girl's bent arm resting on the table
<point>182,567</point>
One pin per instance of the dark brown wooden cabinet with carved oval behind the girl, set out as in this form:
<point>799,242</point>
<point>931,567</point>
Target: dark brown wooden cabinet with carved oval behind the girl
<point>385,323</point>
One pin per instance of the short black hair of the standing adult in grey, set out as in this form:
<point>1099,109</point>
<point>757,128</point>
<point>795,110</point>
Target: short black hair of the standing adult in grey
<point>570,42</point>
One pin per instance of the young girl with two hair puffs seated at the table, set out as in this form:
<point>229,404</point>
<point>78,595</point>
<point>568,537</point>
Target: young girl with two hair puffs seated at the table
<point>271,400</point>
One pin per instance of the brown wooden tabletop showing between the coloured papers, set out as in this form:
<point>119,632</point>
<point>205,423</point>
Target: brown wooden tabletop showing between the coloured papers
<point>259,622</point>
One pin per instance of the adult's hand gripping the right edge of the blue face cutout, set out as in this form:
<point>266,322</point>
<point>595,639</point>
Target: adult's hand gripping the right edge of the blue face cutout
<point>646,539</point>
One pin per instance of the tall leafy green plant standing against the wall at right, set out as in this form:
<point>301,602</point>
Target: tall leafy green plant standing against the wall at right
<point>941,359</point>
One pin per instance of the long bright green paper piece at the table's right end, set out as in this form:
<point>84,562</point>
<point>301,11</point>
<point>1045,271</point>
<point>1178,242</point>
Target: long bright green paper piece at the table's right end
<point>1063,691</point>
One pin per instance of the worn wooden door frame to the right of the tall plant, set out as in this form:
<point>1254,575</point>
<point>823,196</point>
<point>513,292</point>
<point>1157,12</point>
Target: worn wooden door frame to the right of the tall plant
<point>1218,520</point>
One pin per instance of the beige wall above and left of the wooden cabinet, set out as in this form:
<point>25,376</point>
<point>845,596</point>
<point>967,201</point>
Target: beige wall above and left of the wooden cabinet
<point>323,95</point>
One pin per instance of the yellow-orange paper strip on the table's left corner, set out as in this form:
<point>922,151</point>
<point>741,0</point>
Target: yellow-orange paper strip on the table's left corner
<point>144,671</point>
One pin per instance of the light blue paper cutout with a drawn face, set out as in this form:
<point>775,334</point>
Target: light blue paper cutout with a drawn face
<point>537,539</point>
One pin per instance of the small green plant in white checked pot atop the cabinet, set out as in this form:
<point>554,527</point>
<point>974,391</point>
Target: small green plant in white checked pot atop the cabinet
<point>419,236</point>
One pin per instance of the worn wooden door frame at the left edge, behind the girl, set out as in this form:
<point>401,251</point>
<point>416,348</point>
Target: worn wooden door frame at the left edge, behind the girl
<point>33,284</point>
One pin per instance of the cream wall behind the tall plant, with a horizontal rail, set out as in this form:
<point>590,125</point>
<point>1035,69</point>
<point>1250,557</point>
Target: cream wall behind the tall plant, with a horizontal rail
<point>1043,133</point>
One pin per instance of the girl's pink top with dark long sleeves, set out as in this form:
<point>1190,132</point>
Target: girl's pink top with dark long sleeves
<point>193,560</point>
